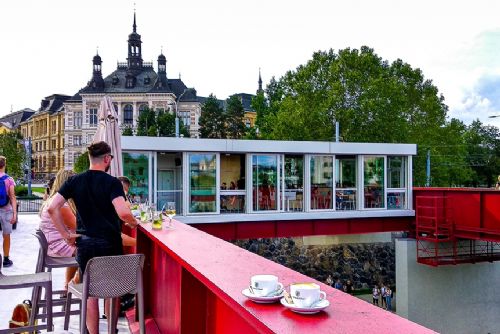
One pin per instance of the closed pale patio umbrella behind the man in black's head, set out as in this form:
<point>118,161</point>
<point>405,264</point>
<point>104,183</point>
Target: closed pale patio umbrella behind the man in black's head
<point>108,130</point>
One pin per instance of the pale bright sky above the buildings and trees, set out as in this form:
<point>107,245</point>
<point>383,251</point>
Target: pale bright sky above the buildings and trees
<point>219,45</point>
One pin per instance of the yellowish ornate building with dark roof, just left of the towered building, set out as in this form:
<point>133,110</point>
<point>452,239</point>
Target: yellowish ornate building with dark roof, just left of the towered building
<point>46,129</point>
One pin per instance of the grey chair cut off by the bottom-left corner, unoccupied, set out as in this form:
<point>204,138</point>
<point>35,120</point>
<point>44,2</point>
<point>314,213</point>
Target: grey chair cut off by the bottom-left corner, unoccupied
<point>43,280</point>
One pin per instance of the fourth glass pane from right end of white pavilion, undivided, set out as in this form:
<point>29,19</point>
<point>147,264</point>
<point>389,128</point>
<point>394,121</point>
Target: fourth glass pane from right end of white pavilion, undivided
<point>321,168</point>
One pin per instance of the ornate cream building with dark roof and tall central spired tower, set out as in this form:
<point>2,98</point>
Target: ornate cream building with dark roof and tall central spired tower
<point>133,86</point>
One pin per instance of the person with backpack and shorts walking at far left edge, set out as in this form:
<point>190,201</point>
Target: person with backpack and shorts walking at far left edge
<point>8,209</point>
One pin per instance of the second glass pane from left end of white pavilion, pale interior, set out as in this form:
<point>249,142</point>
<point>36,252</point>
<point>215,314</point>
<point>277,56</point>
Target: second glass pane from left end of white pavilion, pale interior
<point>169,182</point>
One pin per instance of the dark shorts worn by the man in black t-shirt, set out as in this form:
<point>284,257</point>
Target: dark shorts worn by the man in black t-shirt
<point>90,247</point>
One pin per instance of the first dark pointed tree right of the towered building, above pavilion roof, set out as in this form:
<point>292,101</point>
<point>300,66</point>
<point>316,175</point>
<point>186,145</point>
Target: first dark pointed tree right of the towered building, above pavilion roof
<point>212,120</point>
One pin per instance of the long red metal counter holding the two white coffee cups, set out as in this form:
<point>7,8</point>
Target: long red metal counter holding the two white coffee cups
<point>194,281</point>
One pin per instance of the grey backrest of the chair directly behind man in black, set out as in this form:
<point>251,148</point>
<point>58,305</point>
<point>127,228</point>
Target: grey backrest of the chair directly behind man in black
<point>113,276</point>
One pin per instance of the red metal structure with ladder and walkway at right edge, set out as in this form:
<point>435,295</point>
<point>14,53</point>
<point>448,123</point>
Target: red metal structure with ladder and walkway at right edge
<point>457,225</point>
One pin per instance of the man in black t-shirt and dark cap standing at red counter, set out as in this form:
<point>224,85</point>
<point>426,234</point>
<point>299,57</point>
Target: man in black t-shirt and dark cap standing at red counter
<point>101,206</point>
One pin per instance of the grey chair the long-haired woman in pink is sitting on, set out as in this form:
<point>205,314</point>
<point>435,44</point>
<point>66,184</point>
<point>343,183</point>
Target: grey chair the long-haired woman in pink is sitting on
<point>46,263</point>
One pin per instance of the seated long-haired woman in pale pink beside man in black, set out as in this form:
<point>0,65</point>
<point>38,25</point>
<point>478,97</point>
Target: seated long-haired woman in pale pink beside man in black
<point>58,247</point>
